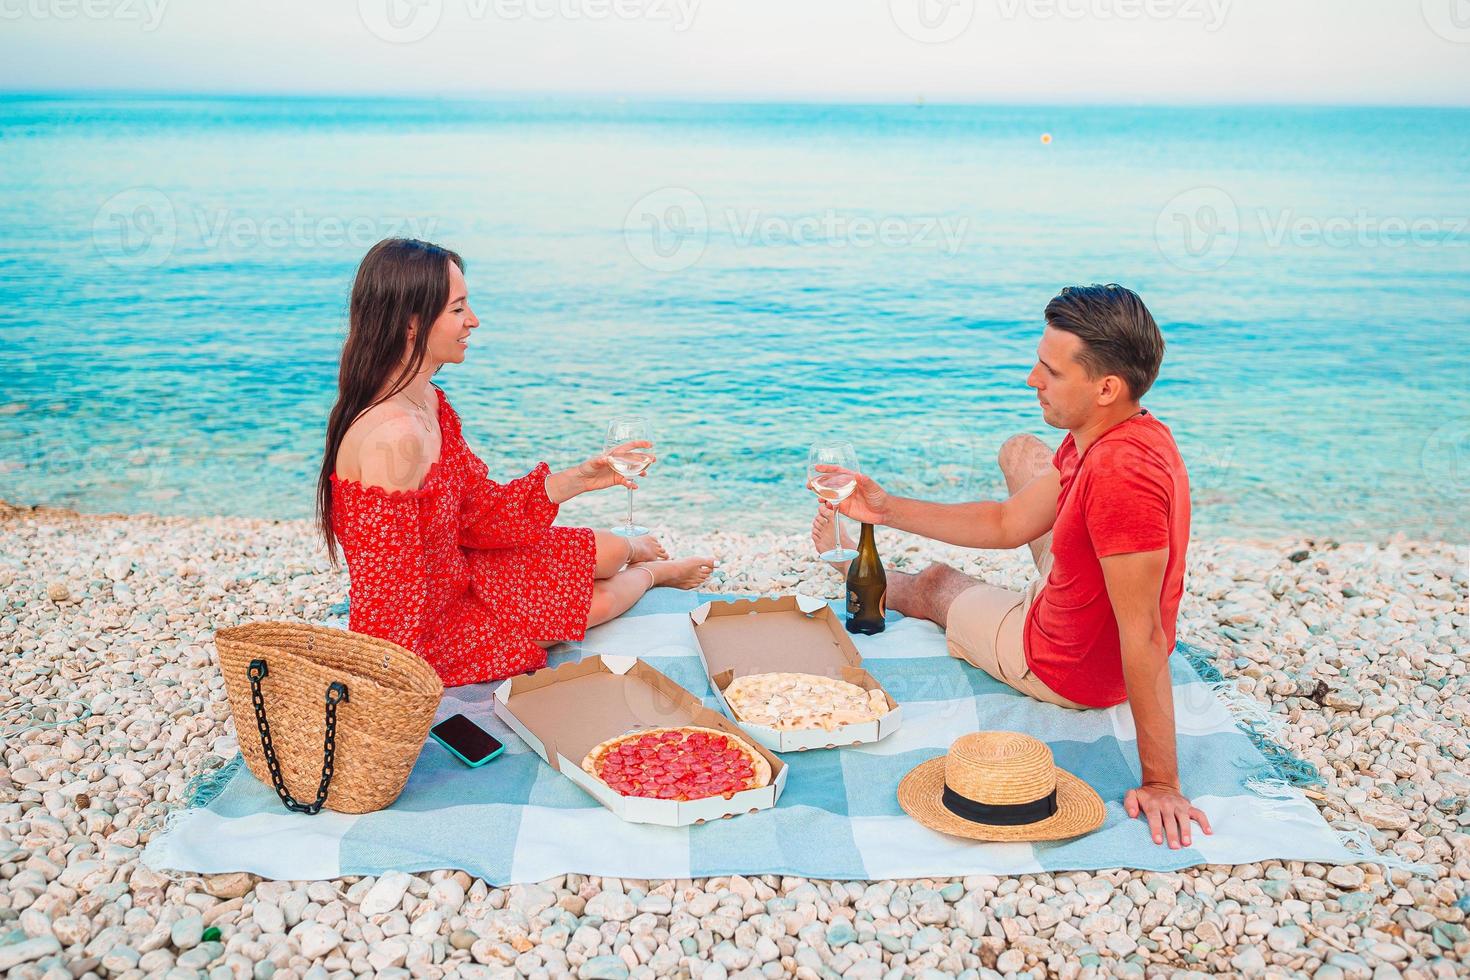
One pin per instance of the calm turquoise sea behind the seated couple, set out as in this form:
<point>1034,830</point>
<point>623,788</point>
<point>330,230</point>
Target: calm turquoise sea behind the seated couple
<point>174,277</point>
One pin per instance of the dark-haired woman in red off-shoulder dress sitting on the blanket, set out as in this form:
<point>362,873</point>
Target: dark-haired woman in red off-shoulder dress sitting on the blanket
<point>468,574</point>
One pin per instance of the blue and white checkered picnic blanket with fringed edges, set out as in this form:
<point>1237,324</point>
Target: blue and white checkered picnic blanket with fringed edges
<point>518,821</point>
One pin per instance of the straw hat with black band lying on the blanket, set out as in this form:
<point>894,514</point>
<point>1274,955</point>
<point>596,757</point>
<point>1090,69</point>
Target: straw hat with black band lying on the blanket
<point>1000,787</point>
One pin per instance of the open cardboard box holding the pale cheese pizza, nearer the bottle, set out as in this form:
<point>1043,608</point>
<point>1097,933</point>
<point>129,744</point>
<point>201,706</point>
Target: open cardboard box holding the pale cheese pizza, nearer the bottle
<point>787,634</point>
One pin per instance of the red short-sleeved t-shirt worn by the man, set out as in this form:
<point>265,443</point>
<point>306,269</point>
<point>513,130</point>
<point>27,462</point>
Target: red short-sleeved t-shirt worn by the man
<point>1128,493</point>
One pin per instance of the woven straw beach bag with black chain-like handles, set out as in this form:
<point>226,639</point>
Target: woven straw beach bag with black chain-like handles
<point>327,716</point>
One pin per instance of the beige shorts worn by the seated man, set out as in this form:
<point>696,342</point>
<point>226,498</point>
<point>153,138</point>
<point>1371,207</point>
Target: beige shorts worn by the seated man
<point>986,628</point>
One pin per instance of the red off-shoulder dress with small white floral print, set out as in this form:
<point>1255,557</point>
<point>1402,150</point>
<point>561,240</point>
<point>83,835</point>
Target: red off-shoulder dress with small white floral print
<point>464,572</point>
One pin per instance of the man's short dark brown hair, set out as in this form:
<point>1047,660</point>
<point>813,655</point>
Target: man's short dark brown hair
<point>1119,336</point>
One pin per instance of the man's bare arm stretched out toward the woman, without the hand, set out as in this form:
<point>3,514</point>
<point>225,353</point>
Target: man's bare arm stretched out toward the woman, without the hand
<point>1000,525</point>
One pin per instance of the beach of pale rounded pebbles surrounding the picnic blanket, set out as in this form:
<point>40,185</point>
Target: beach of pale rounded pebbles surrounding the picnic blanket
<point>112,703</point>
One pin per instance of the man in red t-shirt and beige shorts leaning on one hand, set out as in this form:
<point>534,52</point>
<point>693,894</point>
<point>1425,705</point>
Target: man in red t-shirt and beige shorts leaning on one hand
<point>1108,522</point>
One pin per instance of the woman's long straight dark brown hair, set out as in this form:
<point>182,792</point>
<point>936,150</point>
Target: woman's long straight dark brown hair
<point>401,283</point>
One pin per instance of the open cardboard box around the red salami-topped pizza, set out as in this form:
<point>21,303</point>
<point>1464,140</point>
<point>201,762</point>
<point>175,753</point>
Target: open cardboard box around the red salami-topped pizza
<point>567,712</point>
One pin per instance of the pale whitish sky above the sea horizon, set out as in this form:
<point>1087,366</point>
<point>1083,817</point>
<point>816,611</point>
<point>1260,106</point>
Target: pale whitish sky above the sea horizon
<point>1375,52</point>
